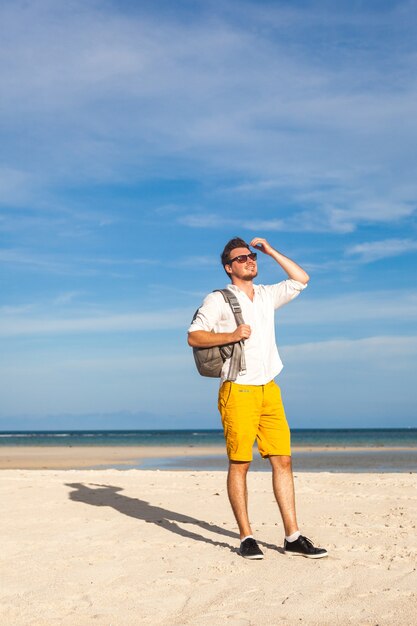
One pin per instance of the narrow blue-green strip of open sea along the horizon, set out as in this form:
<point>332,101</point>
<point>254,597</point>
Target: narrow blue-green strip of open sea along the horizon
<point>363,437</point>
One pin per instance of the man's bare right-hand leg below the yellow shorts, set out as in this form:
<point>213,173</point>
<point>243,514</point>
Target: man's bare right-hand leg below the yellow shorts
<point>283,485</point>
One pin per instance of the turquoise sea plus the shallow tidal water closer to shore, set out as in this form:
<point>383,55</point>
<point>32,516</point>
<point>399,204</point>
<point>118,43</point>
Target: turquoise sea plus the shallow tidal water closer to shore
<point>374,453</point>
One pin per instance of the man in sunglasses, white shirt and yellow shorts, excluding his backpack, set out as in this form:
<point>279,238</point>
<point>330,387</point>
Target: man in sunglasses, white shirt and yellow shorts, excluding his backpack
<point>251,407</point>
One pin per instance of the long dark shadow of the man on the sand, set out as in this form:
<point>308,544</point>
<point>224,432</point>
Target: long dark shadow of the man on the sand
<point>108,495</point>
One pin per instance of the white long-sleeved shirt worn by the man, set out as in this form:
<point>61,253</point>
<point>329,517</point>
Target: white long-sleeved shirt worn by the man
<point>263,362</point>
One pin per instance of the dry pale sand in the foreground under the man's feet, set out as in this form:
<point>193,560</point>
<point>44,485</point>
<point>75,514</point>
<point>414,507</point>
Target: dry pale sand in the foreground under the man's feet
<point>136,547</point>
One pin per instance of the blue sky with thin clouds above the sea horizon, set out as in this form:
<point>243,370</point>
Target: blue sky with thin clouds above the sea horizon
<point>138,137</point>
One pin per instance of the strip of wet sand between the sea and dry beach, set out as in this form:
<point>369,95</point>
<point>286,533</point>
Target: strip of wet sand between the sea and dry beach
<point>209,457</point>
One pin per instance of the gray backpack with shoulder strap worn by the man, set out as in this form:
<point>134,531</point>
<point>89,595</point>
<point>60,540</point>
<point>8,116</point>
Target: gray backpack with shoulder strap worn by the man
<point>209,361</point>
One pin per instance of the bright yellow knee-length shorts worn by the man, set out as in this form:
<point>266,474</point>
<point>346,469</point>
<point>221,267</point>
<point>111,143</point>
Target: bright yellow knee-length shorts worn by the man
<point>252,412</point>
